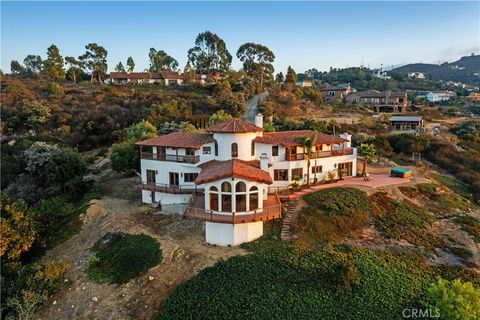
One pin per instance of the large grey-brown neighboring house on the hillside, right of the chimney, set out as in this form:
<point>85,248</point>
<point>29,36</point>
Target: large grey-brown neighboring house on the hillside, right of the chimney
<point>392,102</point>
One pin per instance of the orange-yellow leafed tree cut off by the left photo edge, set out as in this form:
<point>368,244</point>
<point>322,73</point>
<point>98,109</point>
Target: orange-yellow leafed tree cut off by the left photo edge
<point>16,227</point>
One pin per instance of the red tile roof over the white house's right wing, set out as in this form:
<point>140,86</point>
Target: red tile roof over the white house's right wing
<point>289,138</point>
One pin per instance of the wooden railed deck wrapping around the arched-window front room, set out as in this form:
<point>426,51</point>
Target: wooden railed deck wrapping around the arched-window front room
<point>272,209</point>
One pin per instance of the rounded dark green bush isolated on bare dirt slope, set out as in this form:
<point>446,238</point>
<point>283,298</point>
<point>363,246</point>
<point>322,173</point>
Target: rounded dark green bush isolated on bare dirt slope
<point>120,257</point>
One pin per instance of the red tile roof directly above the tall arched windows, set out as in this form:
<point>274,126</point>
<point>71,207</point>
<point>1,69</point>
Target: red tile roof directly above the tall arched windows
<point>216,170</point>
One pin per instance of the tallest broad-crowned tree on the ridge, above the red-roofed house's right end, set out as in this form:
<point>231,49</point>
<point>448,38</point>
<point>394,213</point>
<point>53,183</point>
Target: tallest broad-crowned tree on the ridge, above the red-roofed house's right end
<point>209,54</point>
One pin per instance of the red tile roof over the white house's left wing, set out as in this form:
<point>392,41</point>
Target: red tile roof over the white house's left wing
<point>179,140</point>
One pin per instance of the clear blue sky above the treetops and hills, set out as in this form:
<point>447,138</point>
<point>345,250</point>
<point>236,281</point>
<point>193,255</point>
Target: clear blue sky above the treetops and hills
<point>301,34</point>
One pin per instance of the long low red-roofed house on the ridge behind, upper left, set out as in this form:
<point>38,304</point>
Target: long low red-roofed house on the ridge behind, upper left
<point>165,77</point>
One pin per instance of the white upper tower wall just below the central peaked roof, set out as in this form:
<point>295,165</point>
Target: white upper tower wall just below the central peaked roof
<point>243,140</point>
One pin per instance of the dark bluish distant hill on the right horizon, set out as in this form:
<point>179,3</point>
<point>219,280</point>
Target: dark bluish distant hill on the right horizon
<point>466,70</point>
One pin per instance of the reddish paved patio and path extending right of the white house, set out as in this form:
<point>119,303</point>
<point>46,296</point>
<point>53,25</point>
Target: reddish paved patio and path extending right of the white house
<point>376,181</point>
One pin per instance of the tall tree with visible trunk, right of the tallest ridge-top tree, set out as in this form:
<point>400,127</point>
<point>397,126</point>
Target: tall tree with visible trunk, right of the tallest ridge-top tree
<point>257,62</point>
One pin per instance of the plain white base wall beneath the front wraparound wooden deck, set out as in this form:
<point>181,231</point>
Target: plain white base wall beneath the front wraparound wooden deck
<point>232,234</point>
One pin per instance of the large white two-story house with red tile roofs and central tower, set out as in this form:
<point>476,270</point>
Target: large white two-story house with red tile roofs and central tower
<point>228,176</point>
